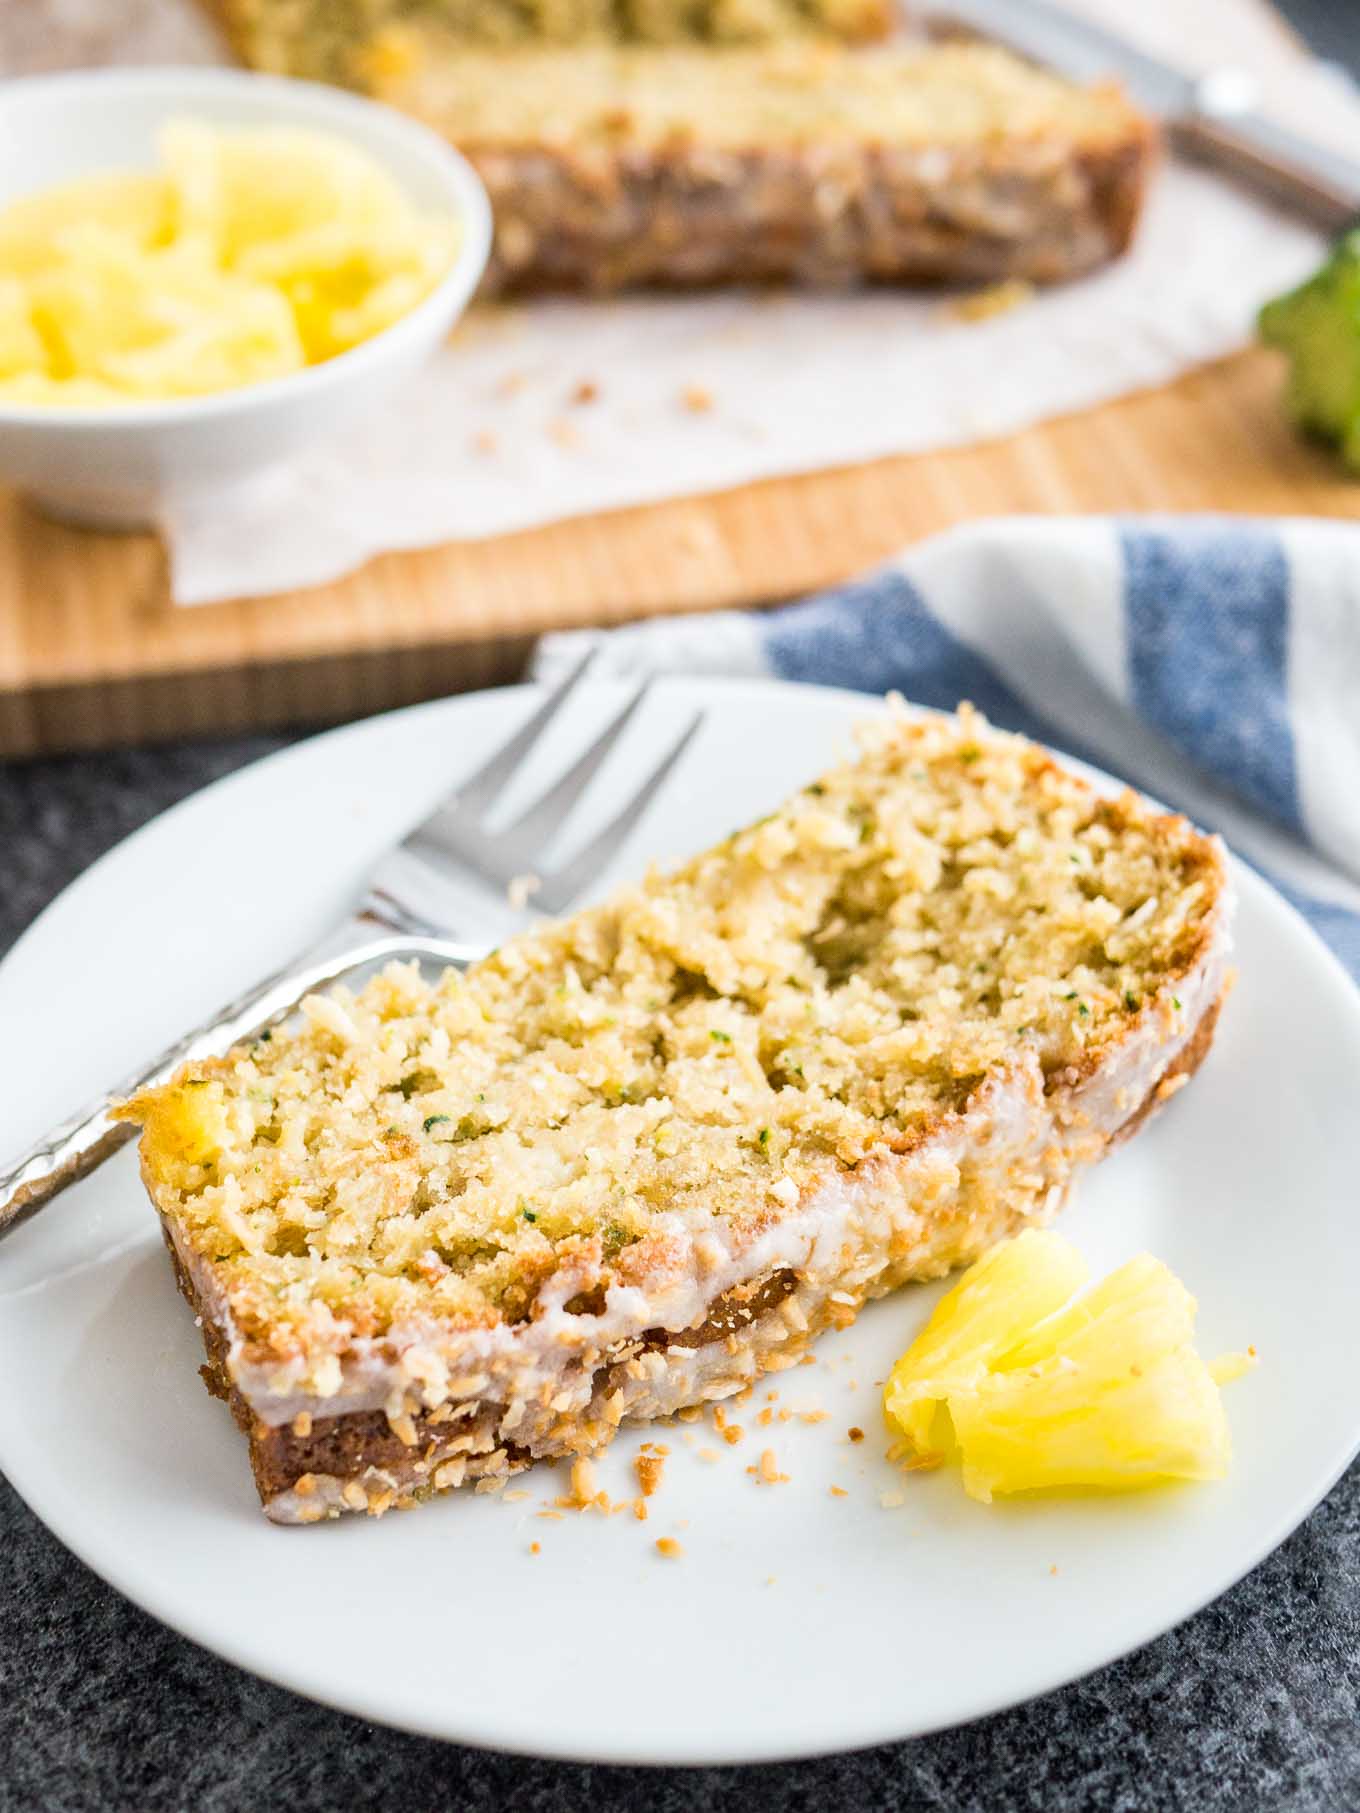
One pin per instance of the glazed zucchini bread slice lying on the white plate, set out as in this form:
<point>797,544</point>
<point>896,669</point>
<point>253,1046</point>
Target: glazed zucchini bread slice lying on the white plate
<point>636,1159</point>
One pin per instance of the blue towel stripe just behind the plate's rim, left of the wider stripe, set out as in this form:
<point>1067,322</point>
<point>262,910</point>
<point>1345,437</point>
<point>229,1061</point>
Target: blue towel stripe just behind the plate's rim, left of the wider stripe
<point>879,635</point>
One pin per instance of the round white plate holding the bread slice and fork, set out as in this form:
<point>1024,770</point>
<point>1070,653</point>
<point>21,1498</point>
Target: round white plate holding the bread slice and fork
<point>795,1622</point>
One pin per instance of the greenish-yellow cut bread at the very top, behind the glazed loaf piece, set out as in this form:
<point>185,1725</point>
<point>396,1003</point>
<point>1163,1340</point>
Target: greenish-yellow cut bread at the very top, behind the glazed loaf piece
<point>356,43</point>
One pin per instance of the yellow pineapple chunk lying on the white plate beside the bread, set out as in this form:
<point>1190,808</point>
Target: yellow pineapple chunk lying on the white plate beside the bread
<point>1042,1388</point>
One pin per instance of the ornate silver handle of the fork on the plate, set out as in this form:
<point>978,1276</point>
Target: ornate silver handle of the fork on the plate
<point>92,1136</point>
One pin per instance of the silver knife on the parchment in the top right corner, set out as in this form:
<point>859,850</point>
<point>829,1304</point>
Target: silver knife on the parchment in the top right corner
<point>1212,117</point>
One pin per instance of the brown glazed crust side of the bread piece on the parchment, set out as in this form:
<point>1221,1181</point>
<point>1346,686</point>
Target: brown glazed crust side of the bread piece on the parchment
<point>668,218</point>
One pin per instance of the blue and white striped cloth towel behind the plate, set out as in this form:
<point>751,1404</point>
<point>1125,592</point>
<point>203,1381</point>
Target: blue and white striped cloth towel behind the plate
<point>1214,663</point>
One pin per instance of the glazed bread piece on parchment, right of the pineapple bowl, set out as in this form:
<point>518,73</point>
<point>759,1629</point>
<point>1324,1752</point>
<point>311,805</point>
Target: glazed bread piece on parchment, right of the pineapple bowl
<point>801,164</point>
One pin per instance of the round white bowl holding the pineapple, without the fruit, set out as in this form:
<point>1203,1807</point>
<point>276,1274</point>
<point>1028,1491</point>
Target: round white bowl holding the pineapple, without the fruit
<point>117,467</point>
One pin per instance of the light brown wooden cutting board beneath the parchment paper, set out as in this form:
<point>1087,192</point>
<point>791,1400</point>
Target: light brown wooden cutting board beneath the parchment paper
<point>93,652</point>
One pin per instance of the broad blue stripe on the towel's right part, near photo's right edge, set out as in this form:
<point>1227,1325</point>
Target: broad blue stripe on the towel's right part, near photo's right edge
<point>1209,626</point>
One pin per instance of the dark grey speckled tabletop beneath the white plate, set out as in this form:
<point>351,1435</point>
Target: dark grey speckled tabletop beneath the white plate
<point>1254,1705</point>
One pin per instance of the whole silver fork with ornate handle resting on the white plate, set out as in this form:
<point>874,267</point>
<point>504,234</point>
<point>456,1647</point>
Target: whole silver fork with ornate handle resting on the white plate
<point>418,893</point>
